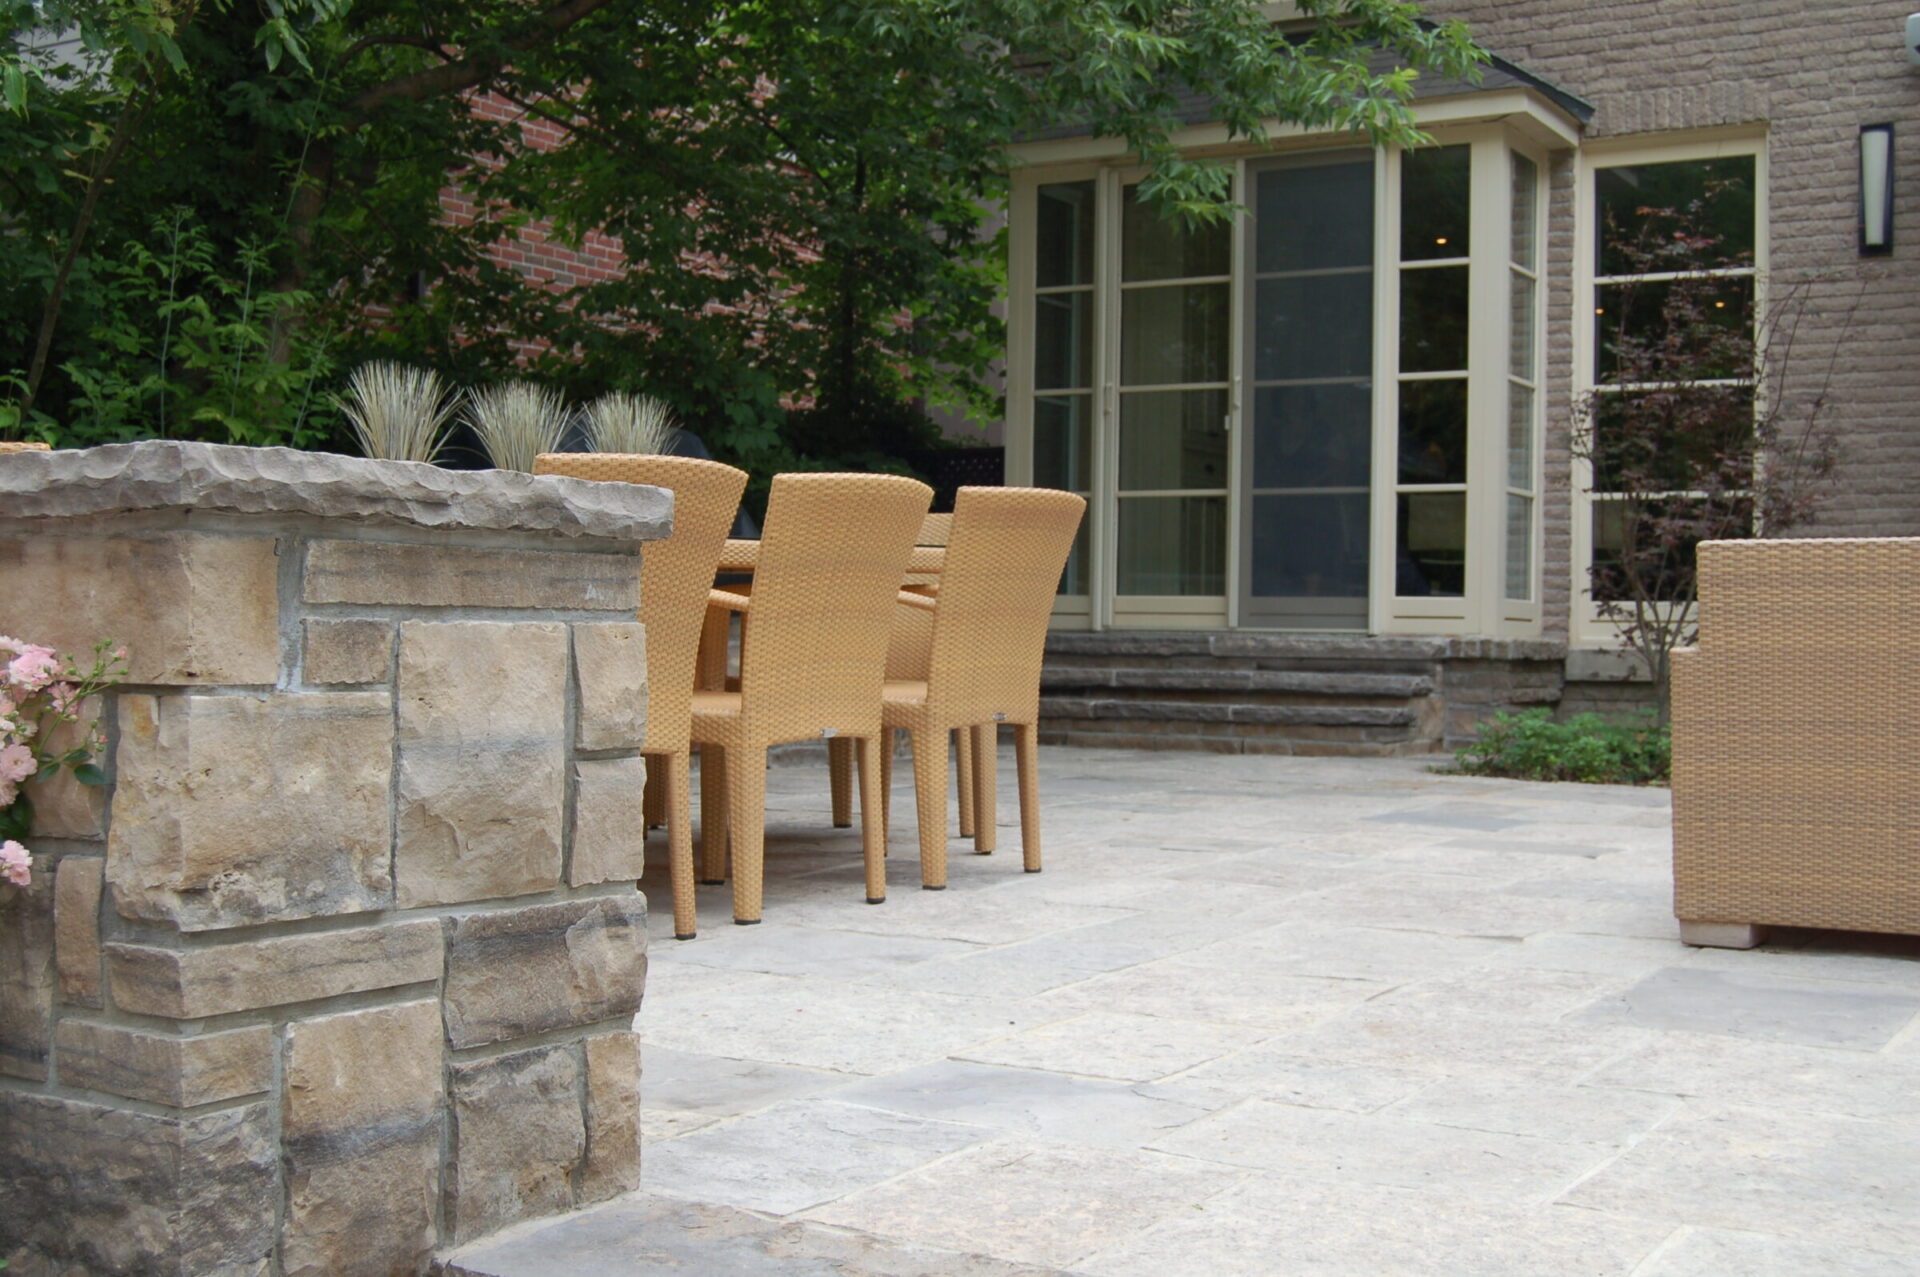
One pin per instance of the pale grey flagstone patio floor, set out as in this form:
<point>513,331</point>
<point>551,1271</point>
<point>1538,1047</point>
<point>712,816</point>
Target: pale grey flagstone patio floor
<point>1259,1017</point>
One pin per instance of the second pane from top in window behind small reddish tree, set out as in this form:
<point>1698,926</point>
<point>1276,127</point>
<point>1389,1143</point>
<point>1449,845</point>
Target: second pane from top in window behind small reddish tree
<point>1687,329</point>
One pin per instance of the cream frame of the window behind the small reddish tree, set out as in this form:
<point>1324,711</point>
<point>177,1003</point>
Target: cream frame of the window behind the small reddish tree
<point>1587,627</point>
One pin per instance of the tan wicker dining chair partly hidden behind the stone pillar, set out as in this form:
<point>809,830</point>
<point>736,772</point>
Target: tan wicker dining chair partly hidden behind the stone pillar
<point>673,600</point>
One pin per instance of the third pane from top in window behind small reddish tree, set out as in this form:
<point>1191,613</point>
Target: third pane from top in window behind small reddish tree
<point>1668,441</point>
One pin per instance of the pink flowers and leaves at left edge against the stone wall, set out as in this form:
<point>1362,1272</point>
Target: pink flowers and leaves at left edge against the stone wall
<point>39,694</point>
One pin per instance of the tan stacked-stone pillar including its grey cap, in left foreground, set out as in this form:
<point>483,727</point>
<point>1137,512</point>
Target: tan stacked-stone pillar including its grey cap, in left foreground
<point>345,965</point>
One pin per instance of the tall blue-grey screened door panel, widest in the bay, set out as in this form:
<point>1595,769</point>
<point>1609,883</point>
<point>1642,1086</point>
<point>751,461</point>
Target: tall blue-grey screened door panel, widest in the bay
<point>1310,414</point>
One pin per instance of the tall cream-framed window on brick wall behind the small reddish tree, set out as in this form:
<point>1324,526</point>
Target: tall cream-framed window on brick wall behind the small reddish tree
<point>1669,341</point>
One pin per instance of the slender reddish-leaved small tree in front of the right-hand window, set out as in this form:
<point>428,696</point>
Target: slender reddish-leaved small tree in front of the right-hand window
<point>1714,422</point>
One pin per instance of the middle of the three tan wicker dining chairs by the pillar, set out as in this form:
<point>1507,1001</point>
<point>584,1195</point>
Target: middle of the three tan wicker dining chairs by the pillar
<point>813,660</point>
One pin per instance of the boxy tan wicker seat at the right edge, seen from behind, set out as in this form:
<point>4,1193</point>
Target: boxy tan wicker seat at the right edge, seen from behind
<point>1796,777</point>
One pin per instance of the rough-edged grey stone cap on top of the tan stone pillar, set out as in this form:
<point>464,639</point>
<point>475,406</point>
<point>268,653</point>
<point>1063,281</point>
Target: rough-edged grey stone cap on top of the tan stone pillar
<point>283,481</point>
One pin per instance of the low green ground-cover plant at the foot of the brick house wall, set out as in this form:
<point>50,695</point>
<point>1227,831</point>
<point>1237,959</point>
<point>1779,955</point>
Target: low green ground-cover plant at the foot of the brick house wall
<point>1533,746</point>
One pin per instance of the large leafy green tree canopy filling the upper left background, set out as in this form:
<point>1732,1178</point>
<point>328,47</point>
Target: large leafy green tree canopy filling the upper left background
<point>798,185</point>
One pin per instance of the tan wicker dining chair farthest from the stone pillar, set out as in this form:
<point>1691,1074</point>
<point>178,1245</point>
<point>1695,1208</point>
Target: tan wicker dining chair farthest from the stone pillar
<point>982,663</point>
